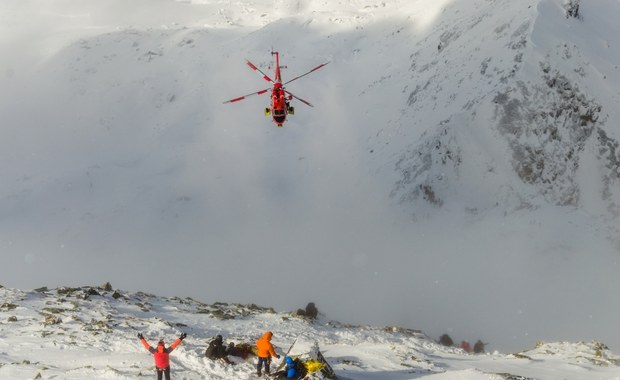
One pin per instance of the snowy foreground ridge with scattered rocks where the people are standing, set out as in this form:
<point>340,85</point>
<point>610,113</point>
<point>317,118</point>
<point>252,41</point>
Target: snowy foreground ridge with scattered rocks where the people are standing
<point>90,332</point>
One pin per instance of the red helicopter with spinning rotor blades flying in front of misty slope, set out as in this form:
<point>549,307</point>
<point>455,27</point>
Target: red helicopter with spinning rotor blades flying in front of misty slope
<point>280,97</point>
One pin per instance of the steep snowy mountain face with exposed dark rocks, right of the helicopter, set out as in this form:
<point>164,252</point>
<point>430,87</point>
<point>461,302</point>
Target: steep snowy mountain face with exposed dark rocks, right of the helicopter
<point>526,107</point>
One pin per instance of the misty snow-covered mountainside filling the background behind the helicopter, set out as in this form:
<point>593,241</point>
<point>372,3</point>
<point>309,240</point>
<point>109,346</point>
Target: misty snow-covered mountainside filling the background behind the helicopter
<point>458,173</point>
